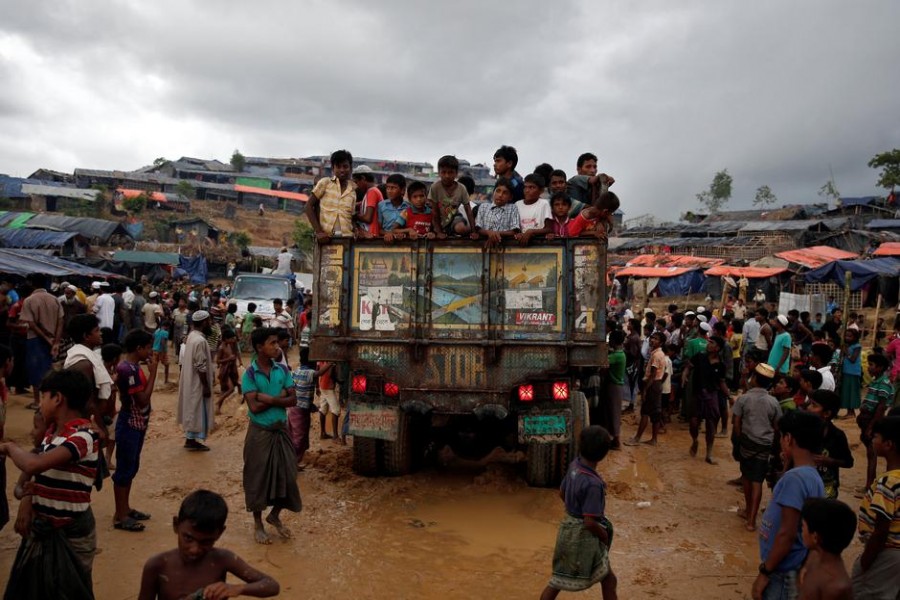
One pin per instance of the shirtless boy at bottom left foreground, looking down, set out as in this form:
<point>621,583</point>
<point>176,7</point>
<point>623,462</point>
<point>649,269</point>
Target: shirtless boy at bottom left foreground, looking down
<point>195,569</point>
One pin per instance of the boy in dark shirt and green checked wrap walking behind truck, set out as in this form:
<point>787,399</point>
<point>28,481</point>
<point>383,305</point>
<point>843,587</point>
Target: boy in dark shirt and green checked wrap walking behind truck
<point>581,556</point>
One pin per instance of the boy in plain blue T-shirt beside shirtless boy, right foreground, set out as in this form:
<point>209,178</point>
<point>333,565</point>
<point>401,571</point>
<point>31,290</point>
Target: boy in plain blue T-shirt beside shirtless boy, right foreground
<point>781,546</point>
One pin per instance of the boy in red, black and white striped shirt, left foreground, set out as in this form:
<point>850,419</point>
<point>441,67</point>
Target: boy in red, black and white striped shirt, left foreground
<point>57,551</point>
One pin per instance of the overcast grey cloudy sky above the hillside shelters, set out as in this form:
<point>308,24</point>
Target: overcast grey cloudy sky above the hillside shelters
<point>784,94</point>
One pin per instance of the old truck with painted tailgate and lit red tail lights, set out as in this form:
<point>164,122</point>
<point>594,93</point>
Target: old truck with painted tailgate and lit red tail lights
<point>446,342</point>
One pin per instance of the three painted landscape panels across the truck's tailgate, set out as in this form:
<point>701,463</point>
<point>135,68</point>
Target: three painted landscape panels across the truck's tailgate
<point>392,293</point>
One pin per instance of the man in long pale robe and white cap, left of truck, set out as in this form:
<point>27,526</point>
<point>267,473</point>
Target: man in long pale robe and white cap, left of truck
<point>195,383</point>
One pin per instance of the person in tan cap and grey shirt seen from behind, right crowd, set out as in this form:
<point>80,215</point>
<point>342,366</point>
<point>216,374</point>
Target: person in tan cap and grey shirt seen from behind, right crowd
<point>755,417</point>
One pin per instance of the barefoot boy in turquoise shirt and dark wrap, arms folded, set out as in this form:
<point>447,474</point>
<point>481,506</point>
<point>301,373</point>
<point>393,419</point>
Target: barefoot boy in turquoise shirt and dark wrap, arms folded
<point>270,464</point>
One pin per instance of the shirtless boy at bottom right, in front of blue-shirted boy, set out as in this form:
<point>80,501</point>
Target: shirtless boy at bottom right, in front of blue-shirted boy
<point>828,528</point>
